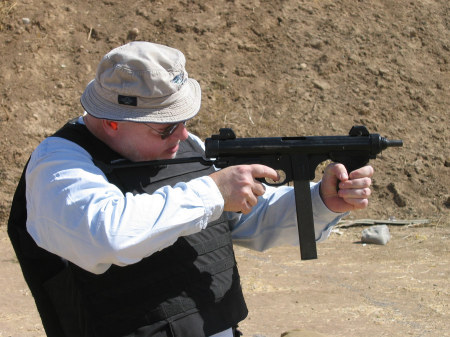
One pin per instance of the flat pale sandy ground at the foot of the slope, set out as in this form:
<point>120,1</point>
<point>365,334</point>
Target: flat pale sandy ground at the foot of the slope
<point>352,289</point>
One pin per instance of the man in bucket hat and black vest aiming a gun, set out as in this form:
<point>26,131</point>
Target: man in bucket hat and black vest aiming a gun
<point>147,251</point>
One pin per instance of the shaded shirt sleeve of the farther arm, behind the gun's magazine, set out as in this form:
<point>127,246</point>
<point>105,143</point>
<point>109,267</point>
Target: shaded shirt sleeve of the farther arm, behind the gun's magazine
<point>273,221</point>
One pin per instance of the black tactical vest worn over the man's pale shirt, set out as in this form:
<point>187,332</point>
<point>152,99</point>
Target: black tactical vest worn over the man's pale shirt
<point>190,289</point>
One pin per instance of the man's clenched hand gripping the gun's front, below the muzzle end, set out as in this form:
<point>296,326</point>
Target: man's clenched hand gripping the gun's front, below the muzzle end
<point>343,192</point>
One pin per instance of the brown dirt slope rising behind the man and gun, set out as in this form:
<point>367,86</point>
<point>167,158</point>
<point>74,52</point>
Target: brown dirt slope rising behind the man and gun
<point>267,68</point>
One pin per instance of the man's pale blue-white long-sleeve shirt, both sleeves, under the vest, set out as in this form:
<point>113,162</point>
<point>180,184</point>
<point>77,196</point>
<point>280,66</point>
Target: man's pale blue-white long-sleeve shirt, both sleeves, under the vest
<point>74,212</point>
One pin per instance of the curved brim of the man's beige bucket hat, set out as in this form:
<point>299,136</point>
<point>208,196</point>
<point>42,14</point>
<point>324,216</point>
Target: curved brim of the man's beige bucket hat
<point>185,107</point>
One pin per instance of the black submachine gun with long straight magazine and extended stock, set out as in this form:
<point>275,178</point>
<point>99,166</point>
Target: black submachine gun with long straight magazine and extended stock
<point>296,157</point>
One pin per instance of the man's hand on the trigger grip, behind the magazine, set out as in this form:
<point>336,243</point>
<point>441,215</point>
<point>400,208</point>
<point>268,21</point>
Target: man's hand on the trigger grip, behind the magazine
<point>240,190</point>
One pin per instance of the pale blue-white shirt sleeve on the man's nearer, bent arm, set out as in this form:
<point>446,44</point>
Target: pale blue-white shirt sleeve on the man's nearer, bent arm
<point>74,212</point>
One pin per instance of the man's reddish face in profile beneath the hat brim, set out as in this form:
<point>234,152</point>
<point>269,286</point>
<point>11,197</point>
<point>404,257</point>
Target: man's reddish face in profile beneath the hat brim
<point>142,141</point>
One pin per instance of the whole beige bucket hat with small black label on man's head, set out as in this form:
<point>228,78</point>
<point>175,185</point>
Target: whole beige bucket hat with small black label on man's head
<point>142,82</point>
